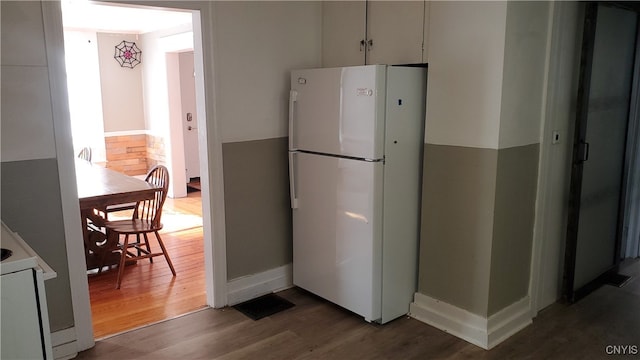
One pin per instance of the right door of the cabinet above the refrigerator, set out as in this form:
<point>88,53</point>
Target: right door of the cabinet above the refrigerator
<point>395,29</point>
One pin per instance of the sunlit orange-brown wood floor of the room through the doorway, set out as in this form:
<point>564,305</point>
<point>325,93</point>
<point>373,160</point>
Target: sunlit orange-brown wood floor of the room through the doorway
<point>149,293</point>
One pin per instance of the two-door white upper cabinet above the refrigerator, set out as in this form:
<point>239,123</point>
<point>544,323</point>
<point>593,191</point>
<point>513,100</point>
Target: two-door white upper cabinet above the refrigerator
<point>373,32</point>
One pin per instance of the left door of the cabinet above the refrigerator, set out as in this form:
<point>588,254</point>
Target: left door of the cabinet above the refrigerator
<point>343,27</point>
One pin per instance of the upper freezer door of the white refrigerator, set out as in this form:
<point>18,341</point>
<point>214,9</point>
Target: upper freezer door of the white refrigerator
<point>338,111</point>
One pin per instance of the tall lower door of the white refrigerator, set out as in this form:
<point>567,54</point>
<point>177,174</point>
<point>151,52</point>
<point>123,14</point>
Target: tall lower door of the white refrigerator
<point>337,231</point>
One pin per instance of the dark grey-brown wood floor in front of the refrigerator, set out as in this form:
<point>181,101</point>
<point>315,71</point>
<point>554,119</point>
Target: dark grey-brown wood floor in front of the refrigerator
<point>316,329</point>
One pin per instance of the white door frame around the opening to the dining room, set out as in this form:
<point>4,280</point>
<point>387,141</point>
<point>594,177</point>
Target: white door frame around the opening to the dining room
<point>210,160</point>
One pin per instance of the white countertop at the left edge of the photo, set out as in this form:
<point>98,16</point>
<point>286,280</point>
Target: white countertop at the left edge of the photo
<point>23,256</point>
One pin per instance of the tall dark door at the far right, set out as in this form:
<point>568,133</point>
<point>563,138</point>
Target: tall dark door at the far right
<point>606,74</point>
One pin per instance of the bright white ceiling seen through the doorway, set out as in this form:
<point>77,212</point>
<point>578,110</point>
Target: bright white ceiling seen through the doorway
<point>86,15</point>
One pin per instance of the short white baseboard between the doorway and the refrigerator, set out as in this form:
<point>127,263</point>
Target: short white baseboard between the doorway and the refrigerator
<point>252,286</point>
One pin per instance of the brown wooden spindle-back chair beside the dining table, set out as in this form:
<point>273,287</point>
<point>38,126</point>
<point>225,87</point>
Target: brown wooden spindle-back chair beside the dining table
<point>145,220</point>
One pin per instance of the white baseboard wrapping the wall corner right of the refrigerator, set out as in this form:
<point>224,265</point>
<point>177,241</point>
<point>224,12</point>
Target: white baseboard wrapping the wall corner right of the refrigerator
<point>478,330</point>
